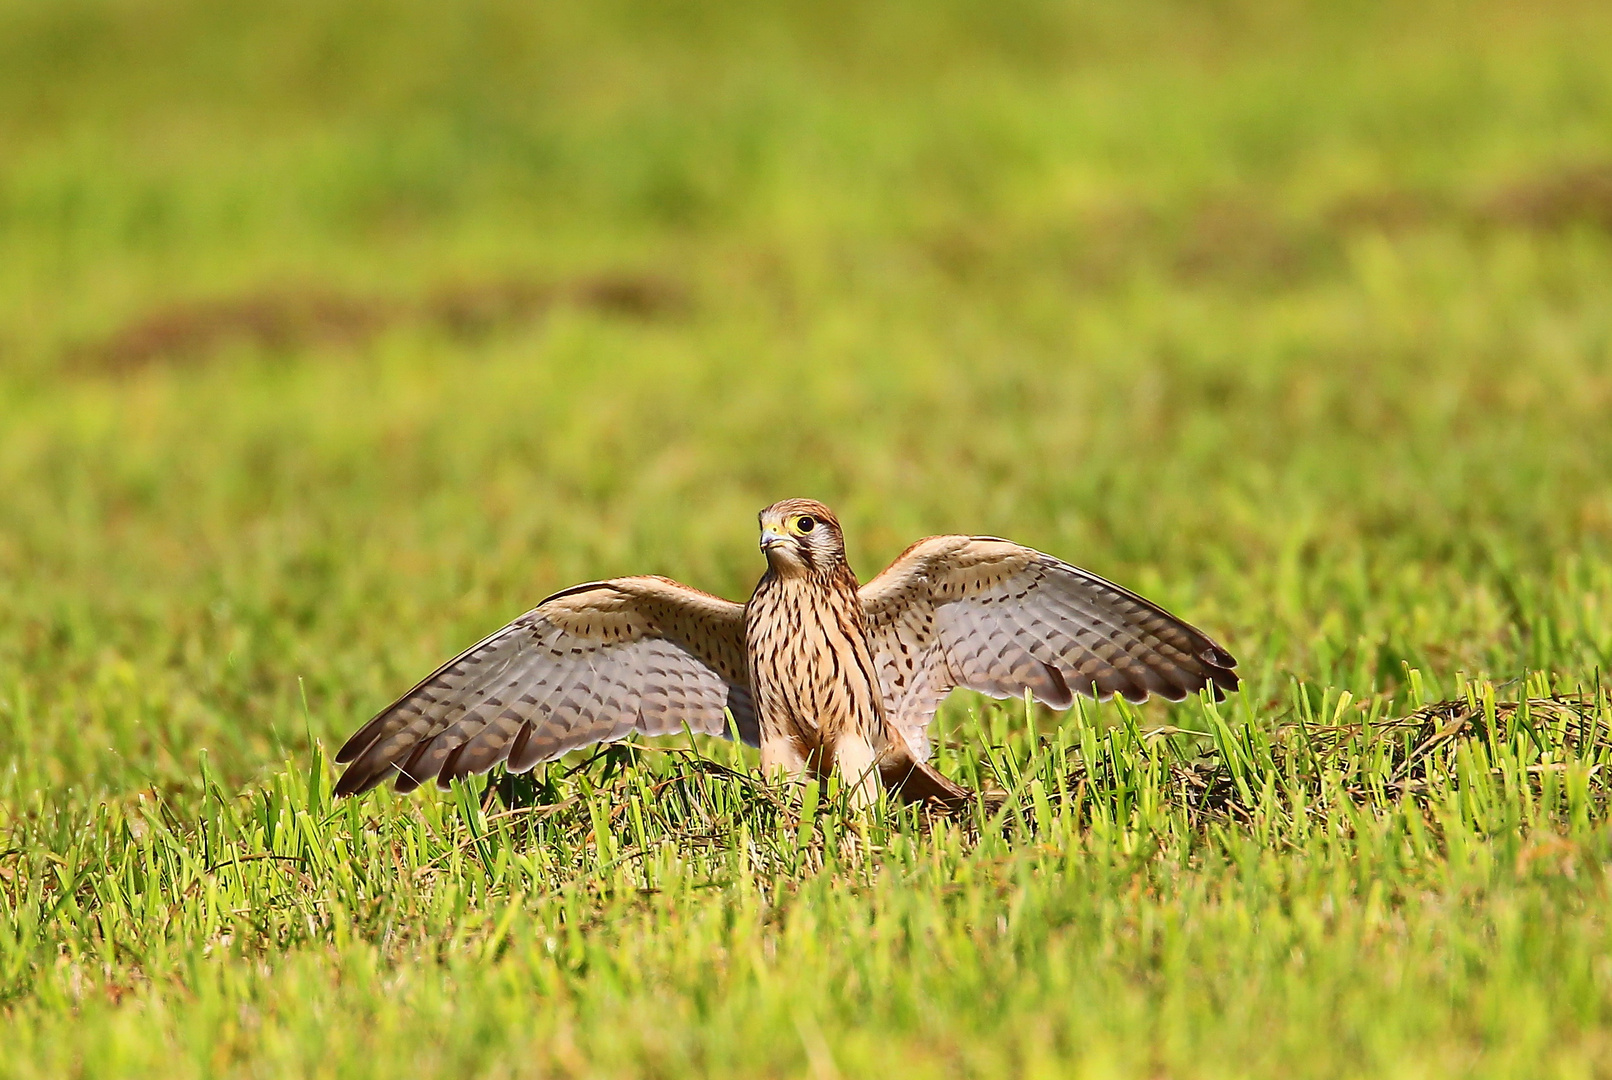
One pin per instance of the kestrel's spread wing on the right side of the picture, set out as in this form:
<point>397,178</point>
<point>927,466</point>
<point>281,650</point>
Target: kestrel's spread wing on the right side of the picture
<point>1000,618</point>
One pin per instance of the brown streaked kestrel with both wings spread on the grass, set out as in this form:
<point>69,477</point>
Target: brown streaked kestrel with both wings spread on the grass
<point>821,673</point>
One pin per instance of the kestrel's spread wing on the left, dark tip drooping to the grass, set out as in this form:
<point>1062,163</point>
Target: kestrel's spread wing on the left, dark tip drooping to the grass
<point>589,665</point>
